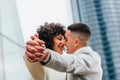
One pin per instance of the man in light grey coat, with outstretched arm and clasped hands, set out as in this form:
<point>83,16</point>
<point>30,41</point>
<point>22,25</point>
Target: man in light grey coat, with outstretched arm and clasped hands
<point>81,63</point>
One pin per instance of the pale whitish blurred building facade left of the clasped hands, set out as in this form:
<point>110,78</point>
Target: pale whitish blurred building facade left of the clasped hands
<point>12,66</point>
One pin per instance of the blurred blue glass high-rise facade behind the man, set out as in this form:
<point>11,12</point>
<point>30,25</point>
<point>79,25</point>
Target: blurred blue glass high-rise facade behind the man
<point>104,20</point>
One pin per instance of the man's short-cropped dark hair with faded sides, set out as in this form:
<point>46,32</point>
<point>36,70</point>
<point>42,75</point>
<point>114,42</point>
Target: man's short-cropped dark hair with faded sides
<point>80,28</point>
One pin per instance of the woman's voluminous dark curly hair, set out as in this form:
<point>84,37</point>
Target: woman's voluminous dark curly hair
<point>47,32</point>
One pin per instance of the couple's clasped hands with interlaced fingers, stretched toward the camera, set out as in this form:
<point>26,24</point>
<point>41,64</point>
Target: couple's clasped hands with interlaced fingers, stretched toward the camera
<point>35,50</point>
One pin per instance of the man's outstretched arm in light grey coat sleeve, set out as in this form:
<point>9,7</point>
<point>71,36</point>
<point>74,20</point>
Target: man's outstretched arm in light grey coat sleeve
<point>75,64</point>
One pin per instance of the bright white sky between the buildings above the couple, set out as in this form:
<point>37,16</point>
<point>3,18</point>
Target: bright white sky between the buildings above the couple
<point>33,13</point>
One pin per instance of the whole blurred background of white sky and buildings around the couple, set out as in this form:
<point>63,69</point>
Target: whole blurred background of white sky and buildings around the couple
<point>19,20</point>
